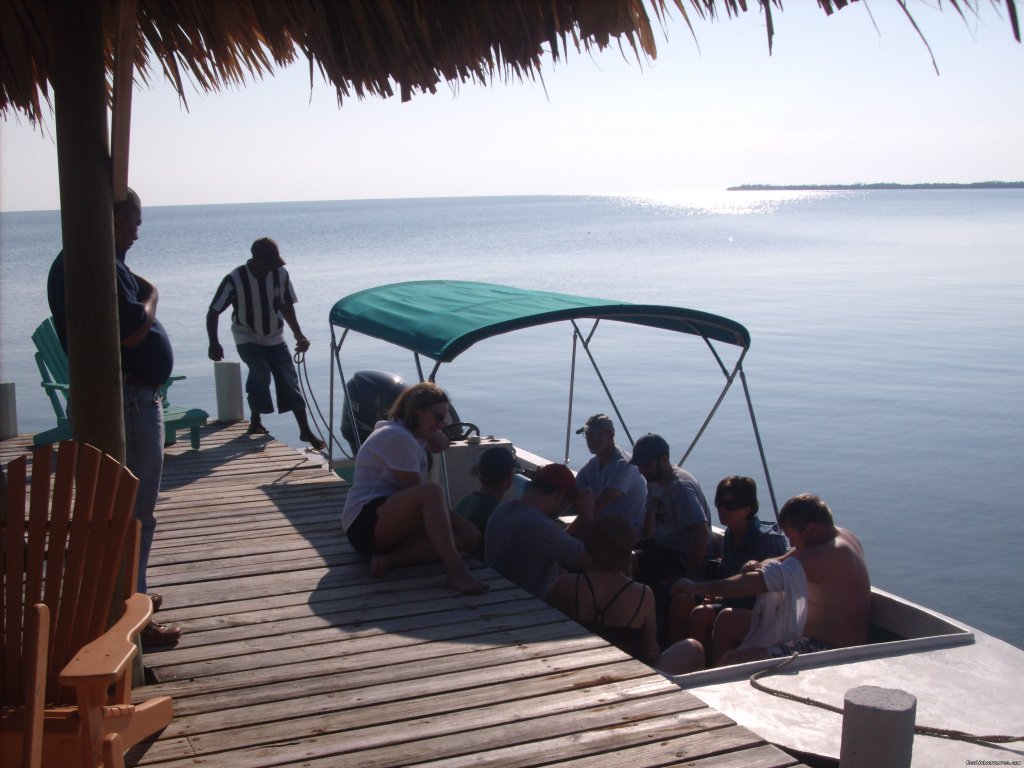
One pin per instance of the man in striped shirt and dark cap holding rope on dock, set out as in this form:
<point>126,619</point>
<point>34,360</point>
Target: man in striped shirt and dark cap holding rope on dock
<point>263,301</point>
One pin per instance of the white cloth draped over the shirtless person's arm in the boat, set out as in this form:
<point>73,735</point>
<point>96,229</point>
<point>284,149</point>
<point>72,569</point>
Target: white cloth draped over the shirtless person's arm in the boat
<point>780,615</point>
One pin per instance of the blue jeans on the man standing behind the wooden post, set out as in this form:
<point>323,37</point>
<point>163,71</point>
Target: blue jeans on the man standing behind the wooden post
<point>145,457</point>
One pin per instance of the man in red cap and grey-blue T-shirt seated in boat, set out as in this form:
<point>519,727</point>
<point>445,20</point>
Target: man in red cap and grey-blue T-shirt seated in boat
<point>527,544</point>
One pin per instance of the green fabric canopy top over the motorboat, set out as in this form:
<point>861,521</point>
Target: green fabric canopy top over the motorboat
<point>441,319</point>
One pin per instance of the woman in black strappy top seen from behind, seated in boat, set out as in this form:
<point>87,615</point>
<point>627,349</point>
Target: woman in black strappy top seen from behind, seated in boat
<point>605,600</point>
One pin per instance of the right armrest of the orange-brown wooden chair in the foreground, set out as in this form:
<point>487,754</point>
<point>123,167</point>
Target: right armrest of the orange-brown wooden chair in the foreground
<point>106,659</point>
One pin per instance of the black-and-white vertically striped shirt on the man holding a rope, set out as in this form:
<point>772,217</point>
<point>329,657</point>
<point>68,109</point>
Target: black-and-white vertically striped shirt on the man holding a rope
<point>255,305</point>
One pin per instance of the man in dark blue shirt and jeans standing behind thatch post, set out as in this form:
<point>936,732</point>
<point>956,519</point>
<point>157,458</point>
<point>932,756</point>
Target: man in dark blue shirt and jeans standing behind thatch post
<point>147,361</point>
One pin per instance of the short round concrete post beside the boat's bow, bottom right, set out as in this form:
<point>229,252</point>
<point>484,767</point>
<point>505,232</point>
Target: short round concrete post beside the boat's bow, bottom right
<point>878,729</point>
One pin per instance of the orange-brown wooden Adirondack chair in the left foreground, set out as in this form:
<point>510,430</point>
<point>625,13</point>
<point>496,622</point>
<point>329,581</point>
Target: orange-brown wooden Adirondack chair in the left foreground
<point>67,692</point>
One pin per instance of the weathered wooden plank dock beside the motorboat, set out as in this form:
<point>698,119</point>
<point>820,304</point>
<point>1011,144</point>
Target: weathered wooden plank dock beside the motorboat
<point>293,655</point>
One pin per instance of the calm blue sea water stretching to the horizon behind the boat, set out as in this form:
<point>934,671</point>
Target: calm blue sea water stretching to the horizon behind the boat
<point>887,364</point>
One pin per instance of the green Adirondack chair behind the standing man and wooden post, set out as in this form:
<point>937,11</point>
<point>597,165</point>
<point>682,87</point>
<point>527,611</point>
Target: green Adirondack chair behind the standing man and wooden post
<point>53,363</point>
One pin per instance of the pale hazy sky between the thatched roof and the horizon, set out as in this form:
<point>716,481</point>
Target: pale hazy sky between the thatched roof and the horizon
<point>838,101</point>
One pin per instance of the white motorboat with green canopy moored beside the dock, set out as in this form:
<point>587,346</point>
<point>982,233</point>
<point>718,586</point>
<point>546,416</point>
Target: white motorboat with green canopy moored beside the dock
<point>966,682</point>
